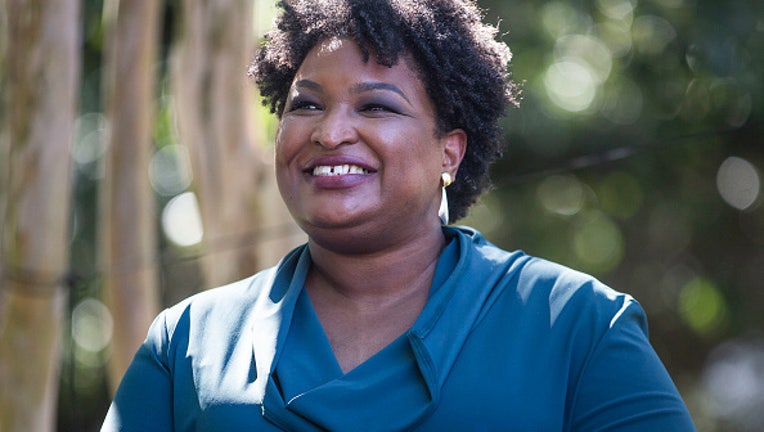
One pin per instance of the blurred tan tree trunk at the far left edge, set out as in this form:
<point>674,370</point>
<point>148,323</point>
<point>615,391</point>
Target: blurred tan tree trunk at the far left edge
<point>40,79</point>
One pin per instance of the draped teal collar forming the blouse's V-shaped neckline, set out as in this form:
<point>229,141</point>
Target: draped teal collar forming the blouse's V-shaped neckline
<point>467,279</point>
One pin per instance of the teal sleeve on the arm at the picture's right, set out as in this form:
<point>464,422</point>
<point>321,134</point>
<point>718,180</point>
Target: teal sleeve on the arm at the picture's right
<point>624,386</point>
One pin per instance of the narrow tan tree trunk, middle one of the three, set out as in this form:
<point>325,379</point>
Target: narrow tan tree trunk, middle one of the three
<point>127,211</point>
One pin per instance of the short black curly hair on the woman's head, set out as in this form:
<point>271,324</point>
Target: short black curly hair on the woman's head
<point>462,65</point>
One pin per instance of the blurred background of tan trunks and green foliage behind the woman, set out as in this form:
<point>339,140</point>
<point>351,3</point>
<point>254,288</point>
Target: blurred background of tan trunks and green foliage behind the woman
<point>636,155</point>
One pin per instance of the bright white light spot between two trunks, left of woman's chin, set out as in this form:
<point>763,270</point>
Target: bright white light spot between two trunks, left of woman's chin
<point>182,221</point>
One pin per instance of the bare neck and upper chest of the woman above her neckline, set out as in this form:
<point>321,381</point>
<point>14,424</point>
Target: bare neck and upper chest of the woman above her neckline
<point>364,301</point>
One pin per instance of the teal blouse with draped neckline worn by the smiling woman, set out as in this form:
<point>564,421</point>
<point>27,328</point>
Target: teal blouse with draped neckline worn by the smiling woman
<point>505,342</point>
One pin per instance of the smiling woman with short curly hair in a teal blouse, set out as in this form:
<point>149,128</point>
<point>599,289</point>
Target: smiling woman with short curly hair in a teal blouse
<point>388,319</point>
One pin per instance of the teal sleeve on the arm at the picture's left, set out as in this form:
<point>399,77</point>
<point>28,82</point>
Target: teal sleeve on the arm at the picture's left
<point>143,401</point>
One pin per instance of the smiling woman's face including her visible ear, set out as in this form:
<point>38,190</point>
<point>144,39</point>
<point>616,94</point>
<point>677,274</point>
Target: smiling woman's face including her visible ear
<point>357,148</point>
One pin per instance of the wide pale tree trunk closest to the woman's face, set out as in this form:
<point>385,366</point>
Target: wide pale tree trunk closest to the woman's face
<point>213,104</point>
